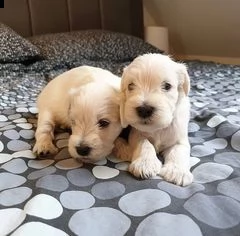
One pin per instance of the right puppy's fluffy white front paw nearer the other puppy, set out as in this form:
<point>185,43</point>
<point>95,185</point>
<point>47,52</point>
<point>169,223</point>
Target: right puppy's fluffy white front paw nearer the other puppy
<point>145,167</point>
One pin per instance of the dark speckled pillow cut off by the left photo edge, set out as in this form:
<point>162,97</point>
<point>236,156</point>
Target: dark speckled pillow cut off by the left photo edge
<point>14,48</point>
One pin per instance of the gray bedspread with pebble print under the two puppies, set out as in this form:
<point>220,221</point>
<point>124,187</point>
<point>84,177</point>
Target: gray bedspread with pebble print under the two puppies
<point>59,196</point>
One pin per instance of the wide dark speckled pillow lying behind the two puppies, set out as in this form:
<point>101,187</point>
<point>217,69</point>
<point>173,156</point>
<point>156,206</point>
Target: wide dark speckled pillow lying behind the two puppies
<point>92,45</point>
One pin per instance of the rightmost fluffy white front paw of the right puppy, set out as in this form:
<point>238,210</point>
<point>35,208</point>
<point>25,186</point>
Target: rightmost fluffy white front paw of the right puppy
<point>177,175</point>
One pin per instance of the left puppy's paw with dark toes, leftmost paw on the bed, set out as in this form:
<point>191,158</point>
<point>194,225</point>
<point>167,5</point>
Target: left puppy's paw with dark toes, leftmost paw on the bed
<point>44,148</point>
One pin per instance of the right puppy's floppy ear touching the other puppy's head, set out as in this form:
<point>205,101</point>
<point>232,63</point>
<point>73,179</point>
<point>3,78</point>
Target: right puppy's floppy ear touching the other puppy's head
<point>123,99</point>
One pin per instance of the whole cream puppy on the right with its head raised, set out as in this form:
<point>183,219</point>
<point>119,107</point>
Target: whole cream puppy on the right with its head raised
<point>155,102</point>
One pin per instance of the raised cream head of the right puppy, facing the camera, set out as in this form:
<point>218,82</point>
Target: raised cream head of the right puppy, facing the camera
<point>152,86</point>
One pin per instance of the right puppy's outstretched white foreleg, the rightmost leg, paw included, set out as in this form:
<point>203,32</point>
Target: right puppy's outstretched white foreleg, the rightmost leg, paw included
<point>176,168</point>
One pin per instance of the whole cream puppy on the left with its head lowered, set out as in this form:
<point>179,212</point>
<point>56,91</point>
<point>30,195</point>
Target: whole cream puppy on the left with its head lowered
<point>85,99</point>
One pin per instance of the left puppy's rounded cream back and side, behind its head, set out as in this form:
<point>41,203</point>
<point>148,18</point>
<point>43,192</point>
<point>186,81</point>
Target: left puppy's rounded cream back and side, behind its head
<point>55,97</point>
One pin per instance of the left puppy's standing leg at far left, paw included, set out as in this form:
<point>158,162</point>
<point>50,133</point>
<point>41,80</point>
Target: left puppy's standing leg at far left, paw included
<point>44,134</point>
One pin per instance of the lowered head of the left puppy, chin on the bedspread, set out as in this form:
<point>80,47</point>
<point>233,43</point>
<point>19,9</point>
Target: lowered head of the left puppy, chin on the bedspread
<point>95,121</point>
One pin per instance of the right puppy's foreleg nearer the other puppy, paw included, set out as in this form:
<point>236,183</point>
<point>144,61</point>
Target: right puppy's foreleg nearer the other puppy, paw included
<point>144,162</point>
